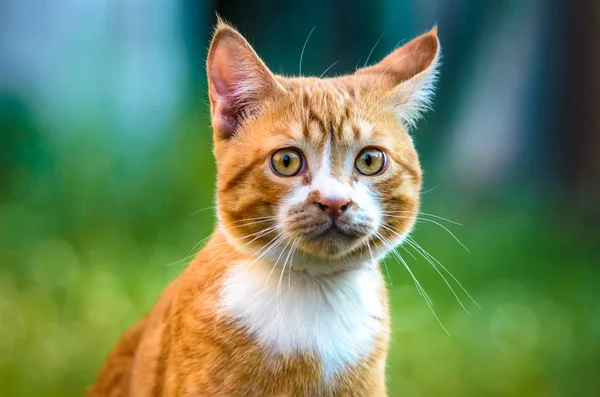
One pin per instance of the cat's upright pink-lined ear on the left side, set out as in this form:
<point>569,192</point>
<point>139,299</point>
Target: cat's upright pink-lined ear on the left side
<point>238,80</point>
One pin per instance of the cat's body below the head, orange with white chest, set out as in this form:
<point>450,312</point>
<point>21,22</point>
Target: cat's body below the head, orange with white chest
<point>188,344</point>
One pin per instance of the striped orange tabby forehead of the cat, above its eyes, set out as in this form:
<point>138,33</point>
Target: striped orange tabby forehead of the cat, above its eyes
<point>334,112</point>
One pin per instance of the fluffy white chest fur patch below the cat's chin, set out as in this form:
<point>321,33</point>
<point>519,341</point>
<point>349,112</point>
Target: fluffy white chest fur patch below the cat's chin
<point>335,316</point>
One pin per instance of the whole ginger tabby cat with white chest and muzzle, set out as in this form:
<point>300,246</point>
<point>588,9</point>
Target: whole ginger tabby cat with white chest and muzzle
<point>287,298</point>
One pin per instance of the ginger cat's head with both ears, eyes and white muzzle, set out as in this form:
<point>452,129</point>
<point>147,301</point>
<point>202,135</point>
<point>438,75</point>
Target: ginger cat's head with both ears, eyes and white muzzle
<point>313,173</point>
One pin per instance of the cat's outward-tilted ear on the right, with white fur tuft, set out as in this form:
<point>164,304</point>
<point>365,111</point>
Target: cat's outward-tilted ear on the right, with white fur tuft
<point>409,72</point>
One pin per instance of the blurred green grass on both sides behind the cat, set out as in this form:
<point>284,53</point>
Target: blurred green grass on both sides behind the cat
<point>88,244</point>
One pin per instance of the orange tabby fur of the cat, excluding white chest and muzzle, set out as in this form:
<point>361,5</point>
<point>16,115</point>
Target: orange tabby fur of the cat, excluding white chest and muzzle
<point>187,345</point>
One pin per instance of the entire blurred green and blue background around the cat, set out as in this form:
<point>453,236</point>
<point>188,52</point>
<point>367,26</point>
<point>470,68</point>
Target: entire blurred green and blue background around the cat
<point>105,160</point>
